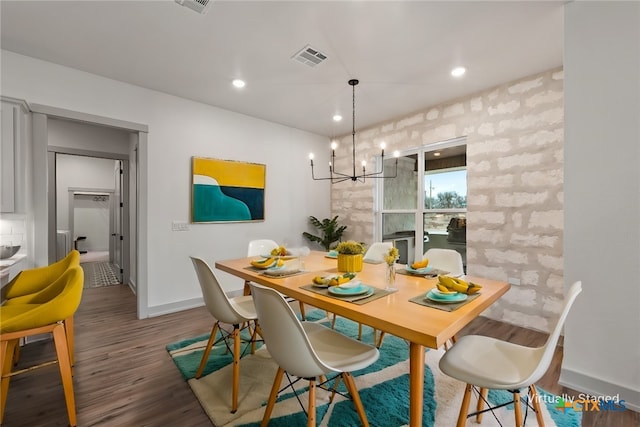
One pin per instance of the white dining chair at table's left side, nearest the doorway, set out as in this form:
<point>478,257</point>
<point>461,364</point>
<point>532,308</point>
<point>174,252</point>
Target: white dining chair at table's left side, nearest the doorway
<point>238,311</point>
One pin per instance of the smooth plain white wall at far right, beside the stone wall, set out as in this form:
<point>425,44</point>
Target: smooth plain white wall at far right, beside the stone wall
<point>602,198</point>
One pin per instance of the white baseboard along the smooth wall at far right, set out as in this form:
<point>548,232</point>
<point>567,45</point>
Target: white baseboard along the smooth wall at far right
<point>597,387</point>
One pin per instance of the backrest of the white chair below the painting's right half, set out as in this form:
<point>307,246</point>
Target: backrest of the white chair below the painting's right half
<point>214,297</point>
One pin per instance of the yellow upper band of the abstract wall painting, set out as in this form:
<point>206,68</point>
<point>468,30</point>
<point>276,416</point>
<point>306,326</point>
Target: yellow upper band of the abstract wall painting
<point>230,173</point>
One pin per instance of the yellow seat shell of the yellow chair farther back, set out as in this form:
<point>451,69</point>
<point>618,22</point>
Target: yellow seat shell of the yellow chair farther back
<point>36,279</point>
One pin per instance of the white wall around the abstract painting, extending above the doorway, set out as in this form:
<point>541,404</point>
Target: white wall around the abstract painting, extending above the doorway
<point>178,130</point>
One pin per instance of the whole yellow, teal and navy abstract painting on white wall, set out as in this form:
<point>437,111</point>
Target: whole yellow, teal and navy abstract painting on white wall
<point>227,191</point>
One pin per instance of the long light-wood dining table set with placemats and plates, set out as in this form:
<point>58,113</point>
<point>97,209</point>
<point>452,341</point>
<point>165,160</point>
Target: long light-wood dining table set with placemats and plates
<point>394,314</point>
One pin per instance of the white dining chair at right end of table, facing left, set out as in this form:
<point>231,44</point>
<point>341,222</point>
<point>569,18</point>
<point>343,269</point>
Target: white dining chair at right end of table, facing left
<point>487,363</point>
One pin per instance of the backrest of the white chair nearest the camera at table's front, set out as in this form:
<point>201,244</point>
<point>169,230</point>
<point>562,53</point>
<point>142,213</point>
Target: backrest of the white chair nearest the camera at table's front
<point>284,336</point>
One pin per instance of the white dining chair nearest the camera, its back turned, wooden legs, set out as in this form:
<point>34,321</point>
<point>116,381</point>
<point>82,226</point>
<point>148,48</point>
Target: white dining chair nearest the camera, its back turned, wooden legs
<point>308,350</point>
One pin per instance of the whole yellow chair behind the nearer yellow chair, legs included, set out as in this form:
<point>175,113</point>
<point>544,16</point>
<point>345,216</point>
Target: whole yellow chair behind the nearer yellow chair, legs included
<point>31,287</point>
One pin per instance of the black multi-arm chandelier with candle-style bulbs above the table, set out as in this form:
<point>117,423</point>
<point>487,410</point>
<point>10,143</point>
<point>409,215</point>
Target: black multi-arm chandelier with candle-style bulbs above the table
<point>336,176</point>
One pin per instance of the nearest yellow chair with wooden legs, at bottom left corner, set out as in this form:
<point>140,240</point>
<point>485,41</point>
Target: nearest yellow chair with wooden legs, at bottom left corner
<point>45,315</point>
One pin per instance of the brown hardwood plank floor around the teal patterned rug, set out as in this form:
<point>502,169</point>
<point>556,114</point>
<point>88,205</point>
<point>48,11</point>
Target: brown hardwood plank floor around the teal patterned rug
<point>124,376</point>
